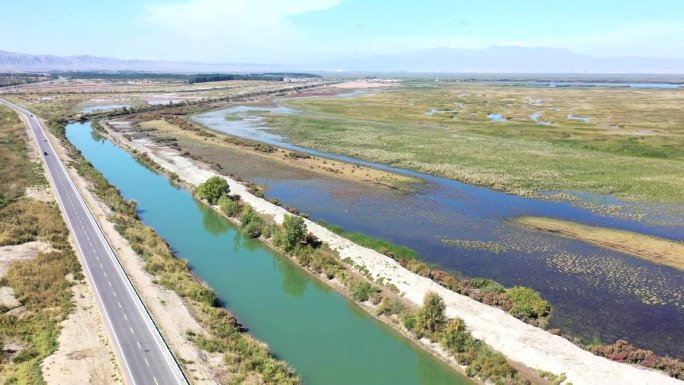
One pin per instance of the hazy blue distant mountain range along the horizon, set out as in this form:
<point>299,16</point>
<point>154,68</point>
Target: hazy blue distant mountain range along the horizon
<point>497,59</point>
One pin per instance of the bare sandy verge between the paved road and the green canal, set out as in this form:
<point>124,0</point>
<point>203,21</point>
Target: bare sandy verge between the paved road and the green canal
<point>168,310</point>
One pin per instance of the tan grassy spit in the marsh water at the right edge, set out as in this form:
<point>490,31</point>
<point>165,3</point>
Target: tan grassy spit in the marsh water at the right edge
<point>650,248</point>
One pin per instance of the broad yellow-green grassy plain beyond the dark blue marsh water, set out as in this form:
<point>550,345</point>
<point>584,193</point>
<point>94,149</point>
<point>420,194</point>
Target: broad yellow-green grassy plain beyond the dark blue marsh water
<point>633,145</point>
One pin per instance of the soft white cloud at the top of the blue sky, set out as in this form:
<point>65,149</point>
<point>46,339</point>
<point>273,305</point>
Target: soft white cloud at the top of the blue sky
<point>237,26</point>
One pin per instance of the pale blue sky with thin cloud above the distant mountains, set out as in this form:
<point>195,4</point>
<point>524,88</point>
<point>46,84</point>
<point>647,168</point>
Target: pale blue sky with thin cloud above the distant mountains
<point>301,31</point>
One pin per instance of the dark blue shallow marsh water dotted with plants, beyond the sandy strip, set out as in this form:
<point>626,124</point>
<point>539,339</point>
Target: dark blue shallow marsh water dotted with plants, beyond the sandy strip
<point>597,294</point>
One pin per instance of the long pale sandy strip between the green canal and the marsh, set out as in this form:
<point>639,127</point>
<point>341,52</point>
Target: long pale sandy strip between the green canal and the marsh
<point>517,340</point>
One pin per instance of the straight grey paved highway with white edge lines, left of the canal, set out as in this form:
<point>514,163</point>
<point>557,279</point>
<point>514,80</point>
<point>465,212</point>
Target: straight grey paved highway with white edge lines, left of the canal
<point>145,358</point>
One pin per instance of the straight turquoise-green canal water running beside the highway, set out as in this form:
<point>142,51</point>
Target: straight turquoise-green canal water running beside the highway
<point>326,338</point>
